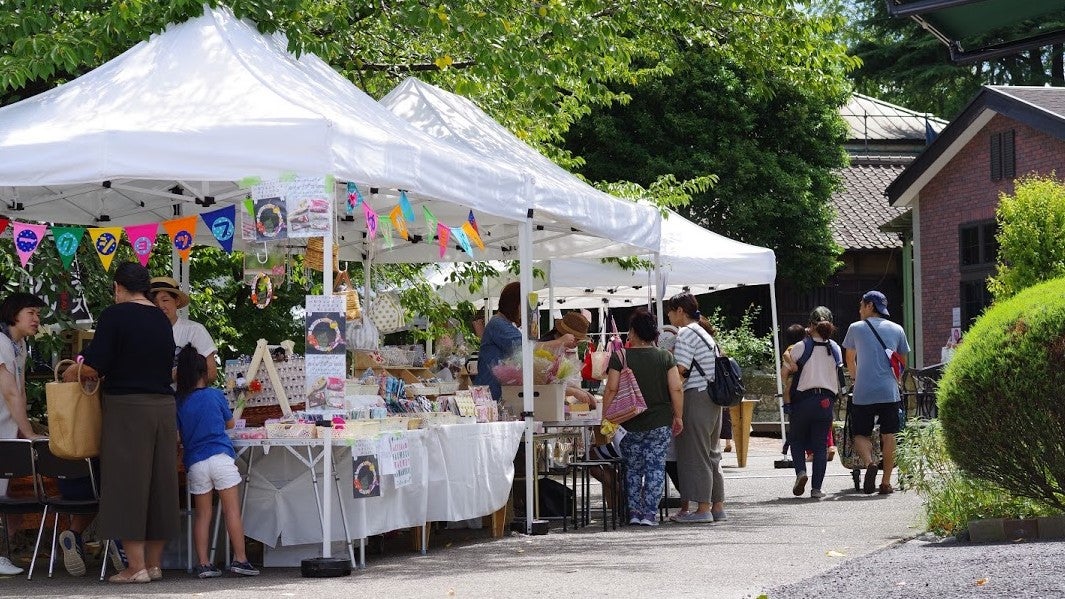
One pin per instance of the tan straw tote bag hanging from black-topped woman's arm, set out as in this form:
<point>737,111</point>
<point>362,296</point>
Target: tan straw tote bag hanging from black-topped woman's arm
<point>75,419</point>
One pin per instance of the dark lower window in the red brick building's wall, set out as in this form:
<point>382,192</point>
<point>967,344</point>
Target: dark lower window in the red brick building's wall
<point>979,250</point>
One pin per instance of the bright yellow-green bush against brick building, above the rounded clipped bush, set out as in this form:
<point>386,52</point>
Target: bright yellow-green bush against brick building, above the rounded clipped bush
<point>1031,236</point>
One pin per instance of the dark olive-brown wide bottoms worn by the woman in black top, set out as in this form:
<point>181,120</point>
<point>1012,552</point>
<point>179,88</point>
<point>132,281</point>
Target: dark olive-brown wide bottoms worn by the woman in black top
<point>139,468</point>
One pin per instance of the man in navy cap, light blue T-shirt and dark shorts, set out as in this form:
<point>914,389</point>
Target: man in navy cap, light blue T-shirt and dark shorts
<point>876,347</point>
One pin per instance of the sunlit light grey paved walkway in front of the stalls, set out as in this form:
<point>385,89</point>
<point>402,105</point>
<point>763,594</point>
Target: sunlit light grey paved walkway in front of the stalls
<point>772,540</point>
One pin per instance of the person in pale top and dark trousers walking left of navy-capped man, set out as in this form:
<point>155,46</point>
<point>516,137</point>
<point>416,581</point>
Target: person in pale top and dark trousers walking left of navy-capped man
<point>815,384</point>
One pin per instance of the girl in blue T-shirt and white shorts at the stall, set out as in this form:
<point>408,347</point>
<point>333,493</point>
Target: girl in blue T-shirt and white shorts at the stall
<point>204,416</point>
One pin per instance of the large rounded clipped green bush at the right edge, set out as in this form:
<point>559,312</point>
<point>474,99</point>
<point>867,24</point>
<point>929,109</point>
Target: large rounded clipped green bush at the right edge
<point>1003,398</point>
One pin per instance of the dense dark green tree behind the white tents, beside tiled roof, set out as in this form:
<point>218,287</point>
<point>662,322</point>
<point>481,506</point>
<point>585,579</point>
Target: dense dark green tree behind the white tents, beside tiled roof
<point>775,155</point>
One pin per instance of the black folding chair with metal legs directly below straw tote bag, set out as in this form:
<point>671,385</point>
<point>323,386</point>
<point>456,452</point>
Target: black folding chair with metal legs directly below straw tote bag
<point>52,467</point>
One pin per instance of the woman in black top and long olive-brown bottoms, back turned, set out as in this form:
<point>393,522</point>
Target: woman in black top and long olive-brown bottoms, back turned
<point>133,352</point>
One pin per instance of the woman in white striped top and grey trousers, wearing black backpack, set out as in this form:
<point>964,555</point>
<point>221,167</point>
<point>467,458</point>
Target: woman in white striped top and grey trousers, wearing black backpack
<point>698,455</point>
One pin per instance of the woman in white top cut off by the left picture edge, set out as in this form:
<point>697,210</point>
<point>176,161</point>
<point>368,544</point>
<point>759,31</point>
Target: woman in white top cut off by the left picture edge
<point>20,319</point>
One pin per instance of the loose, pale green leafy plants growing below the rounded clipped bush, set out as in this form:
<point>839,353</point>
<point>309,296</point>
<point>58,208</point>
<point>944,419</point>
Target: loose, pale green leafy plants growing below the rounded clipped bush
<point>952,497</point>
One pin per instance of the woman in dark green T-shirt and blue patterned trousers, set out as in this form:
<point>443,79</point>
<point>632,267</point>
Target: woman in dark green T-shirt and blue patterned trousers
<point>647,435</point>
